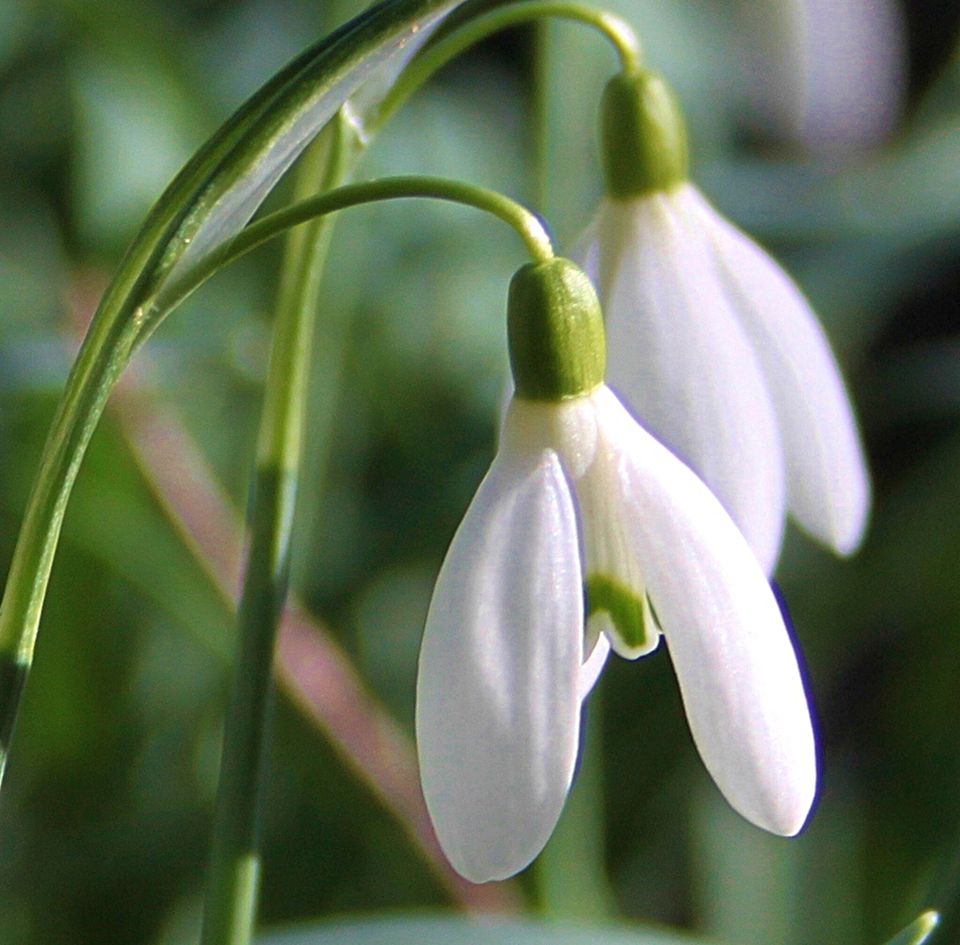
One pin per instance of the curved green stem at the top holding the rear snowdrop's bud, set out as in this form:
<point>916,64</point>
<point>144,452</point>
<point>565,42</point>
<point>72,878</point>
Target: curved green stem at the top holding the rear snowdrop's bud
<point>617,31</point>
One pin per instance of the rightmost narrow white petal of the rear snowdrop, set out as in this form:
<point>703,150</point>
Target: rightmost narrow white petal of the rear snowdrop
<point>827,482</point>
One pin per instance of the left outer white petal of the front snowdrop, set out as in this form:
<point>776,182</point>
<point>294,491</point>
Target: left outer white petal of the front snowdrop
<point>498,693</point>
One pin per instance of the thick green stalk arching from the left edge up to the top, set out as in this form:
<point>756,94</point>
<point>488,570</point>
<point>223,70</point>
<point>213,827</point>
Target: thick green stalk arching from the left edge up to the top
<point>326,70</point>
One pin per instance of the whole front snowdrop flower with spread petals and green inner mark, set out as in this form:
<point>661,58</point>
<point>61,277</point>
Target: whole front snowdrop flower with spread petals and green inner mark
<point>580,497</point>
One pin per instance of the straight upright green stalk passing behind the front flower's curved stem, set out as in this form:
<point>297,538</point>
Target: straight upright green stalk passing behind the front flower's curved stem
<point>233,882</point>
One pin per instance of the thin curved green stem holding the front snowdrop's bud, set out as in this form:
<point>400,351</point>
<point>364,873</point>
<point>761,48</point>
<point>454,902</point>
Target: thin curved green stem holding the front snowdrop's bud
<point>524,221</point>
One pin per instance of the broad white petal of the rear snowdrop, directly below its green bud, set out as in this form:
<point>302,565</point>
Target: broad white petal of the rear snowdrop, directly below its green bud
<point>680,358</point>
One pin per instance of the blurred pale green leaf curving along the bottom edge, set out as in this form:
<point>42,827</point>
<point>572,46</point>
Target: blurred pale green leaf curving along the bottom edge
<point>466,931</point>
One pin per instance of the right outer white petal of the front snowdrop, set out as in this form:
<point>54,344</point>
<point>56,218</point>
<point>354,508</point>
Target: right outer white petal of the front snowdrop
<point>733,656</point>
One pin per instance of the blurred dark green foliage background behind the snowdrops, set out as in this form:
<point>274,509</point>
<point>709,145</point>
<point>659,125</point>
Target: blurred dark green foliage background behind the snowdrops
<point>105,816</point>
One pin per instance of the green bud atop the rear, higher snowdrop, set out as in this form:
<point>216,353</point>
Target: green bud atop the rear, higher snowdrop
<point>643,136</point>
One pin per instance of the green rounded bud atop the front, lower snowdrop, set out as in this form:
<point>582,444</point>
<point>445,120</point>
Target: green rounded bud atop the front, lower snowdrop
<point>555,329</point>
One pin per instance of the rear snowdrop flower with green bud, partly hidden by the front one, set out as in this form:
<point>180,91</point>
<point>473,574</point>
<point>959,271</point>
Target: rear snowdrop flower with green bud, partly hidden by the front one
<point>711,342</point>
